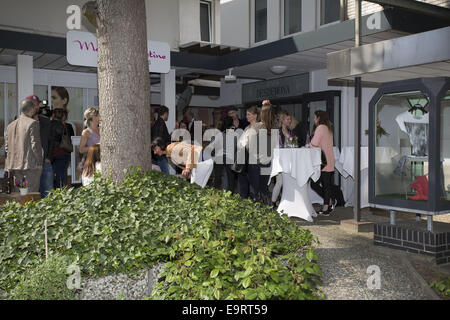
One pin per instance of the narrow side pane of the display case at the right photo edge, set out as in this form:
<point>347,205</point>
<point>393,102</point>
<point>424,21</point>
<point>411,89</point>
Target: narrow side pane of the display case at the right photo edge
<point>445,147</point>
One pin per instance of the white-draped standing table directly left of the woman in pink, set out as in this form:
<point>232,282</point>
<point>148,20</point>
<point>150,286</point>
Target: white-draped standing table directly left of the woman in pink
<point>297,165</point>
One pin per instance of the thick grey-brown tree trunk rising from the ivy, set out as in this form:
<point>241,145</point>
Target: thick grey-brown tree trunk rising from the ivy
<point>124,87</point>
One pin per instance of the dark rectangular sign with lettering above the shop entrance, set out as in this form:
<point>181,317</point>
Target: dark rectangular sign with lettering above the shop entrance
<point>275,88</point>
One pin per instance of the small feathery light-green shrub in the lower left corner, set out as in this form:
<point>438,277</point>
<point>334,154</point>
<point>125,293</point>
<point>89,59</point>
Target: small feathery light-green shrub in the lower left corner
<point>45,282</point>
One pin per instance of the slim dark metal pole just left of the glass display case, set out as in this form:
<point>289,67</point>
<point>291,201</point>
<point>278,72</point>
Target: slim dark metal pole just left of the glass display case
<point>357,141</point>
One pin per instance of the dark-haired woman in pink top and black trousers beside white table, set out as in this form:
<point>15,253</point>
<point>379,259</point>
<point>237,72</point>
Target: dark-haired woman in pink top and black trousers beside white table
<point>323,139</point>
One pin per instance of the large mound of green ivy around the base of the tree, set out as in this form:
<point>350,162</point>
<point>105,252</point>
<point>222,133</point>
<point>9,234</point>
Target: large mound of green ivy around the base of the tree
<point>216,245</point>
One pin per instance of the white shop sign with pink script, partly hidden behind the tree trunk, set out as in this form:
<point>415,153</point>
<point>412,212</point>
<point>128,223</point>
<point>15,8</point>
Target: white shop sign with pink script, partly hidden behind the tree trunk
<point>82,51</point>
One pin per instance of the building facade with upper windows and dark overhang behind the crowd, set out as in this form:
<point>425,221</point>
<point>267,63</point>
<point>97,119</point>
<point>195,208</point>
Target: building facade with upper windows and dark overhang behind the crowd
<point>277,48</point>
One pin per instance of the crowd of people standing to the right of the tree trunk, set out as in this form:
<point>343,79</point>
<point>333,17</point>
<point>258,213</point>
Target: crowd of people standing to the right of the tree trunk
<point>250,179</point>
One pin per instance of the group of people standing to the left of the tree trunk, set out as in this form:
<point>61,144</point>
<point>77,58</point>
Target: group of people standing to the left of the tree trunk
<point>38,143</point>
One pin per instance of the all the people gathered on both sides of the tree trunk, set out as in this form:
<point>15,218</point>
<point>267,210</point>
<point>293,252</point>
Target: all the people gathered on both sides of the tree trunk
<point>38,147</point>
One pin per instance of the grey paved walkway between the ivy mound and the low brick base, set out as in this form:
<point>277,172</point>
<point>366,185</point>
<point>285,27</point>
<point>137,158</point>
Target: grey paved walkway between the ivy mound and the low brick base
<point>345,258</point>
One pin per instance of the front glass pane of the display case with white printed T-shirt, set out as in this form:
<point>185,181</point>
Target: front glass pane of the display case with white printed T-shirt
<point>401,141</point>
